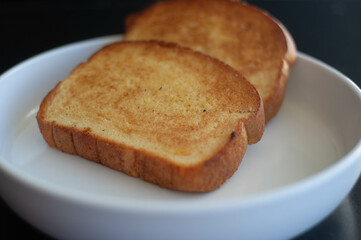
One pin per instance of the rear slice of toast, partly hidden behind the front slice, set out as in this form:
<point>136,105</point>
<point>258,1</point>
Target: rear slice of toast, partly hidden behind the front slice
<point>242,36</point>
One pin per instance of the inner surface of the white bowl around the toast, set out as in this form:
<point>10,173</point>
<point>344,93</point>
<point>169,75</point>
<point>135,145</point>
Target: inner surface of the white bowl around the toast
<point>316,127</point>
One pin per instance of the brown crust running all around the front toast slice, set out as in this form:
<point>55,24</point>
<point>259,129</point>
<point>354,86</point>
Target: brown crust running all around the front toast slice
<point>200,177</point>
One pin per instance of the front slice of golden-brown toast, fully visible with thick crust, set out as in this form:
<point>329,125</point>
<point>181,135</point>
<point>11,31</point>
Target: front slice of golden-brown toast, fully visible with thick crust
<point>157,111</point>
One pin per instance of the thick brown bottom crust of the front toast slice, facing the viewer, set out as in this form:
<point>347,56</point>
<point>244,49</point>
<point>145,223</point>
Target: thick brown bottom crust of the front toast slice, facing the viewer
<point>202,177</point>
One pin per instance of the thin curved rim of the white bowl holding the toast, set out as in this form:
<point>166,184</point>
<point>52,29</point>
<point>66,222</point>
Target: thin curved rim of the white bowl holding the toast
<point>178,206</point>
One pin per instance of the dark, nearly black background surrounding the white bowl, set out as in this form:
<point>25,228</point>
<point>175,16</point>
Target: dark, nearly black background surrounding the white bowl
<point>329,30</point>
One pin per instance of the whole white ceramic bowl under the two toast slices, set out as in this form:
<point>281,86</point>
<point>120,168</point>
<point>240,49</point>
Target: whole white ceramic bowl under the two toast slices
<point>305,165</point>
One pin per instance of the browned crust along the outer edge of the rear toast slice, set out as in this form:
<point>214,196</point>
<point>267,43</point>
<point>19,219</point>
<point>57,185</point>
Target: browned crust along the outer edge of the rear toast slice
<point>272,101</point>
